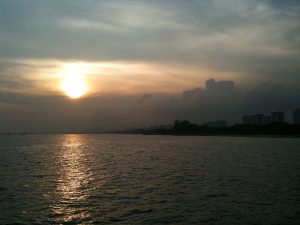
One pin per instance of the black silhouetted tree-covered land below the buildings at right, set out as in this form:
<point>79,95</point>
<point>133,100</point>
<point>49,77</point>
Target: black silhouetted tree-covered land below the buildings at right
<point>187,128</point>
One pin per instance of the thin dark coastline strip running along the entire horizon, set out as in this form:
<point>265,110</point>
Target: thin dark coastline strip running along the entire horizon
<point>186,128</point>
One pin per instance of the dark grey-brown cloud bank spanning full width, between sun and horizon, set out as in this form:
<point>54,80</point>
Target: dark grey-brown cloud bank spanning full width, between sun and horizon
<point>218,100</point>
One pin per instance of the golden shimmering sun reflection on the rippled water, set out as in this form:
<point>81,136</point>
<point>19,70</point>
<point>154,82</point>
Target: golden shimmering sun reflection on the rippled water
<point>74,184</point>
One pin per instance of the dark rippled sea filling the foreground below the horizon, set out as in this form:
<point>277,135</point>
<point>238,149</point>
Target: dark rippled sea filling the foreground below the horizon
<point>127,179</point>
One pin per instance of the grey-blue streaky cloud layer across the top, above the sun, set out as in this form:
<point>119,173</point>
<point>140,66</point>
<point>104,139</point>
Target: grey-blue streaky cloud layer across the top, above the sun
<point>253,38</point>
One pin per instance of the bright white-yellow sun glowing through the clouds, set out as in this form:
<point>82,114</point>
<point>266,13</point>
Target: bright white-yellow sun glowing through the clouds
<point>73,80</point>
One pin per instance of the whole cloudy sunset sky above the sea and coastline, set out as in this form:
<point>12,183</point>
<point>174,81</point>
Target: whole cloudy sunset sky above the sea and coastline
<point>143,63</point>
